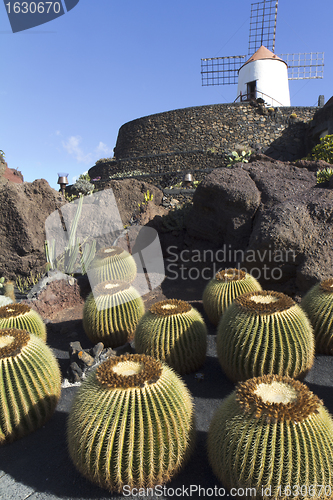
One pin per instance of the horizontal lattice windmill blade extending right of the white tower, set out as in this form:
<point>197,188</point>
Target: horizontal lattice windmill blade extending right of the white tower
<point>305,65</point>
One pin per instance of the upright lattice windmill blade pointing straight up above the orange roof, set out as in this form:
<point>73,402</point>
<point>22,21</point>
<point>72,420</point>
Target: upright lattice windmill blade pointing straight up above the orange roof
<point>263,25</point>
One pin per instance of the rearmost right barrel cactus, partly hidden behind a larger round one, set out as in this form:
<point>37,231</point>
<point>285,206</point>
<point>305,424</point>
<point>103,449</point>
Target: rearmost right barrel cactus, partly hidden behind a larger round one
<point>224,288</point>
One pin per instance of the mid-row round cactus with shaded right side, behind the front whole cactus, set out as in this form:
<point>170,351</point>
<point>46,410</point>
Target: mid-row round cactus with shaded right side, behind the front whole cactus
<point>173,331</point>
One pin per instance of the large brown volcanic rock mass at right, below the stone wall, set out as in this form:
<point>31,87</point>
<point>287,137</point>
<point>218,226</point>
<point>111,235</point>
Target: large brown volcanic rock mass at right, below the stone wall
<point>273,216</point>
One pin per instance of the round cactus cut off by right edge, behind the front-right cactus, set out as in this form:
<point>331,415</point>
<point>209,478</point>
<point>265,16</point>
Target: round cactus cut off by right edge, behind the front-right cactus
<point>318,305</point>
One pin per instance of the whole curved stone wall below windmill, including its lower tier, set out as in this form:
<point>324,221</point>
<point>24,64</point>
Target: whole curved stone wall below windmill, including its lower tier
<point>201,138</point>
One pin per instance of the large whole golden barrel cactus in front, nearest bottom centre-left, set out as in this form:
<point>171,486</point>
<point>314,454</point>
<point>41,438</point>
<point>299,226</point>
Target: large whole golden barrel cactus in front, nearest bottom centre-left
<point>131,423</point>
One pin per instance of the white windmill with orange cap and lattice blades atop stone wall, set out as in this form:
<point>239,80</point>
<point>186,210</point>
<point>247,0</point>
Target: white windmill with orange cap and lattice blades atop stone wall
<point>264,74</point>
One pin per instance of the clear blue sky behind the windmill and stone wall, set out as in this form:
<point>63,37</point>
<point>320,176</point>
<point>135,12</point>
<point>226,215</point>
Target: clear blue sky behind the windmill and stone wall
<point>67,86</point>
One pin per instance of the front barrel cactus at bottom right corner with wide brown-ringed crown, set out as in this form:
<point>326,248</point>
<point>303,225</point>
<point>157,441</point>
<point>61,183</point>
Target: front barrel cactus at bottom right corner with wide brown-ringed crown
<point>274,435</point>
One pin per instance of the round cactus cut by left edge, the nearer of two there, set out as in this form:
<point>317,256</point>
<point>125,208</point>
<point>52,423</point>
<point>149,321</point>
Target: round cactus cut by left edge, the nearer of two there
<point>30,383</point>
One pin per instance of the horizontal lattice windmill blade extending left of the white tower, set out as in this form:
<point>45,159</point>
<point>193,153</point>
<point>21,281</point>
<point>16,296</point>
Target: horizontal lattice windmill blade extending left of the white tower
<point>221,70</point>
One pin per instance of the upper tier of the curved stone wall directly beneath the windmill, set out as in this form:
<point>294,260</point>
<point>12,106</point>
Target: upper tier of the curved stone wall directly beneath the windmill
<point>220,126</point>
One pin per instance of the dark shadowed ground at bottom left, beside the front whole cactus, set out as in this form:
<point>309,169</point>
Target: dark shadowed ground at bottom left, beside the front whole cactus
<point>40,463</point>
